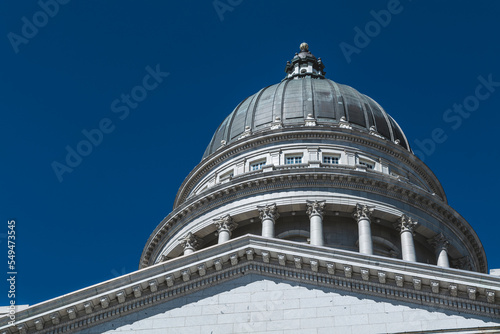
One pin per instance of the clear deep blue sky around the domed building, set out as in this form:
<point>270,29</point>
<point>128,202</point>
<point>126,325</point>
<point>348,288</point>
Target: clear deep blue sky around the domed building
<point>69,71</point>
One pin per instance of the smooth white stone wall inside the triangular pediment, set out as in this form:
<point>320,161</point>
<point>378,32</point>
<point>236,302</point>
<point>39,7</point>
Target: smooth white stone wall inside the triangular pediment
<point>255,304</point>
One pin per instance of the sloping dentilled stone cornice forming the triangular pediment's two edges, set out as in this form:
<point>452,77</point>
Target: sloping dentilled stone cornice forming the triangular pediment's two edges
<point>461,291</point>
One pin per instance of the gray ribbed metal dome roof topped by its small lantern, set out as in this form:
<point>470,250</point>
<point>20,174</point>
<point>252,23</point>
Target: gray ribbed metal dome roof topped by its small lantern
<point>305,92</point>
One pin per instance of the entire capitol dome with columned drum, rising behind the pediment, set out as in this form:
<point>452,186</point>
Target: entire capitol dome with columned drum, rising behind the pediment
<point>314,162</point>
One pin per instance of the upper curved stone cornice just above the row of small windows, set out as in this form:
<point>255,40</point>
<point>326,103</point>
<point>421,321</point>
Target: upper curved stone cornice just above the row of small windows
<point>307,133</point>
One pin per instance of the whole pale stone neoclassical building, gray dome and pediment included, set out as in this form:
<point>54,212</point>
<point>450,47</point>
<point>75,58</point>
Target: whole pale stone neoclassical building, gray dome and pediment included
<point>308,213</point>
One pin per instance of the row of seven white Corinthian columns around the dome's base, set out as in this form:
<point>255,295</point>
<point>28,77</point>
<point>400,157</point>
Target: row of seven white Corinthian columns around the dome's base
<point>315,209</point>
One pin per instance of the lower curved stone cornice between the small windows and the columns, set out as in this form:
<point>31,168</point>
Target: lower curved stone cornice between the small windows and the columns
<point>341,177</point>
